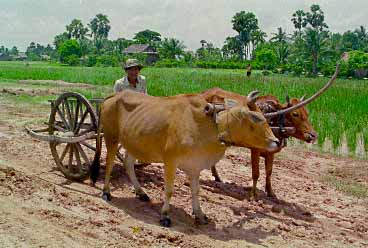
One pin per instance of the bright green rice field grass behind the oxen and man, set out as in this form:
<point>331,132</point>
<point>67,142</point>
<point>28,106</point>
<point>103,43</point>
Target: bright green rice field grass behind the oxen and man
<point>343,109</point>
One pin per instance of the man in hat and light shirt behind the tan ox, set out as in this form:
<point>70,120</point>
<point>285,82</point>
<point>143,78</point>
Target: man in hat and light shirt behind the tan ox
<point>132,80</point>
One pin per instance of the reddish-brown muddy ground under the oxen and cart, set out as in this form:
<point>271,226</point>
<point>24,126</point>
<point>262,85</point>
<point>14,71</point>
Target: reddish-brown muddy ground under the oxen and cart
<point>39,207</point>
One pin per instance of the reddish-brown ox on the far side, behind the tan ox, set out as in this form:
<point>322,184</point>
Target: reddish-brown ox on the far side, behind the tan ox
<point>290,119</point>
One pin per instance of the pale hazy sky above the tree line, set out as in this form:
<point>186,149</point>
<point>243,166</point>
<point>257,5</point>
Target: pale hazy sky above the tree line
<point>23,21</point>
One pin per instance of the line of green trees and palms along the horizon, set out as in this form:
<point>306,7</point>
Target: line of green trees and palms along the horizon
<point>310,49</point>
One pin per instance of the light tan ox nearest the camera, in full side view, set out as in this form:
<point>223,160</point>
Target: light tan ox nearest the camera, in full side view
<point>179,132</point>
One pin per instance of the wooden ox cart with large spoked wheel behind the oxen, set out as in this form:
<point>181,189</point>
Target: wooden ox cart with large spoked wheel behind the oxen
<point>72,133</point>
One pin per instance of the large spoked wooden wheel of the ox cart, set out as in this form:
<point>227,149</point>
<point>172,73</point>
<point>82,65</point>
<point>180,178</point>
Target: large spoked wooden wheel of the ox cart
<point>71,116</point>
